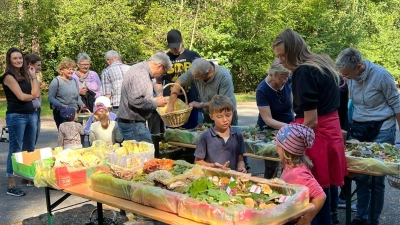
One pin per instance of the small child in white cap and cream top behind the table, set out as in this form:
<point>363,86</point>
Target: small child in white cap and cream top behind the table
<point>104,129</point>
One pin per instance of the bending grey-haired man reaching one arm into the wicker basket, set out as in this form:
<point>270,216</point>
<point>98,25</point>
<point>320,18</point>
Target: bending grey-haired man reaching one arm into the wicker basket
<point>210,80</point>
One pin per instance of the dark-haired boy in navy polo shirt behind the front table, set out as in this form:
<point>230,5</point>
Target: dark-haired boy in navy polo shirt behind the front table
<point>221,146</point>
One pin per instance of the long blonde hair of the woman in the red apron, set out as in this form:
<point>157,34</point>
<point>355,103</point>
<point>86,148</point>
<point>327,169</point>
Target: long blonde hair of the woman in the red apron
<point>297,54</point>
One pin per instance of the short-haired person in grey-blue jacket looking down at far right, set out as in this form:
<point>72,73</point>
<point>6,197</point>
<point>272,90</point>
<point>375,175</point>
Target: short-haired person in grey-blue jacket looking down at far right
<point>377,106</point>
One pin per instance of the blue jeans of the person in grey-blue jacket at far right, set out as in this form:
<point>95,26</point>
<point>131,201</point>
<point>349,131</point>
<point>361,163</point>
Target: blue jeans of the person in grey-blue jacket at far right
<point>364,184</point>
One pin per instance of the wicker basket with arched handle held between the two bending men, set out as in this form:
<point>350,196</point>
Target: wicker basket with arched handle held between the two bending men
<point>179,117</point>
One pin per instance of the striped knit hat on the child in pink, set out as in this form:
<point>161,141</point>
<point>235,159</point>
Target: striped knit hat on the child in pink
<point>295,138</point>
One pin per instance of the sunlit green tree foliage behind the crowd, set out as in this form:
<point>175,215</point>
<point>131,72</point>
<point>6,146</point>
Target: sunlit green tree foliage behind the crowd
<point>237,32</point>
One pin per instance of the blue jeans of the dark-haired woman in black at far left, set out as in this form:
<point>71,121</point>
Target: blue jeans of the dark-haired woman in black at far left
<point>21,129</point>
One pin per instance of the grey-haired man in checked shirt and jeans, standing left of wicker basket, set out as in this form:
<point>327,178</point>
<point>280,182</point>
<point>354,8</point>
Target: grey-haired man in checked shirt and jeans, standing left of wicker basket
<point>137,101</point>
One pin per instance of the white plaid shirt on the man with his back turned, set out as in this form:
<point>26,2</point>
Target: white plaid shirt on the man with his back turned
<point>111,81</point>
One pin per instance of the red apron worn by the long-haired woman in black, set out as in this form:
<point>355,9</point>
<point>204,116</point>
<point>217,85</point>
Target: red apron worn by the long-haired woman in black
<point>327,153</point>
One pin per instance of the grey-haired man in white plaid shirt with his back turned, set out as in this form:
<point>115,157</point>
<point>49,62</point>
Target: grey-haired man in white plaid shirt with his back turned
<point>111,78</point>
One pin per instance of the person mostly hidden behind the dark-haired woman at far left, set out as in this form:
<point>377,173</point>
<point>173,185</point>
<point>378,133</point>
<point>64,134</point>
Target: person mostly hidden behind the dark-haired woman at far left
<point>36,62</point>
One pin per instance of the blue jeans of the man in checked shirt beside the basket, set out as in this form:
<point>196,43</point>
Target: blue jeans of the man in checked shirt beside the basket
<point>135,131</point>
